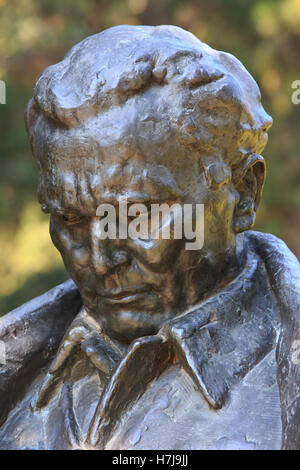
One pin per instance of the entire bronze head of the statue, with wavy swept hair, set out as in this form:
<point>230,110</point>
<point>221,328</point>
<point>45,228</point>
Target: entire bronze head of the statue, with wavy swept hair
<point>153,115</point>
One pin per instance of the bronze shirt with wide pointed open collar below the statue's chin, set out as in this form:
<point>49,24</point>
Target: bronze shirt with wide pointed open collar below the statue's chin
<point>221,376</point>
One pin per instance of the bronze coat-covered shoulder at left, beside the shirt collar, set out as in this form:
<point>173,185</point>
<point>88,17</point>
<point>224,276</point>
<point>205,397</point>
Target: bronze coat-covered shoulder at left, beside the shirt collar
<point>29,336</point>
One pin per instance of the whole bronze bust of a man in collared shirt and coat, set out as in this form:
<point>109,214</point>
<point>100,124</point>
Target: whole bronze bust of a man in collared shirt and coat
<point>152,345</point>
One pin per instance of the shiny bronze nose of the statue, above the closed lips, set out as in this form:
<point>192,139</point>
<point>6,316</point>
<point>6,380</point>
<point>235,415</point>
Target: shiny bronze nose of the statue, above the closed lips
<point>106,255</point>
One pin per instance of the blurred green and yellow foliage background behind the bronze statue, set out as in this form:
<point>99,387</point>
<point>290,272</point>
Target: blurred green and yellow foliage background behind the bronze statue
<point>264,35</point>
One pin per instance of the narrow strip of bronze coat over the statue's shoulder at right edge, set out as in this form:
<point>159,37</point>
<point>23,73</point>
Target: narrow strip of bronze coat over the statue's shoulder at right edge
<point>283,270</point>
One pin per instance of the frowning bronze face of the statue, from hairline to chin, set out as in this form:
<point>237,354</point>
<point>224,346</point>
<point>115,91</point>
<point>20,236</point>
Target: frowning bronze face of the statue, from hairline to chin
<point>134,286</point>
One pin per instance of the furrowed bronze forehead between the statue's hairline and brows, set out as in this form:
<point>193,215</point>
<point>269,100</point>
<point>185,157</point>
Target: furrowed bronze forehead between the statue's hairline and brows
<point>111,156</point>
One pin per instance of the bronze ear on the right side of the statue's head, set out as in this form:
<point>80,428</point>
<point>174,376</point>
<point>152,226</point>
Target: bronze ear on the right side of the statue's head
<point>249,180</point>
